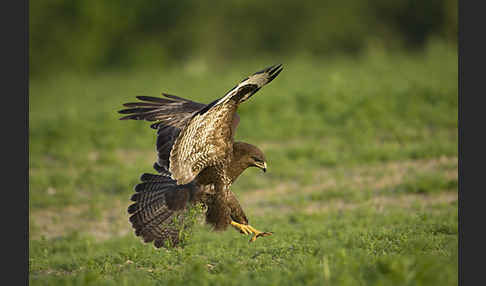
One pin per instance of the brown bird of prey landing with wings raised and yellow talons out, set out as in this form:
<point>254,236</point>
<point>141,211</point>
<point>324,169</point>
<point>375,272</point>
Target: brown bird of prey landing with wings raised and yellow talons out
<point>197,162</point>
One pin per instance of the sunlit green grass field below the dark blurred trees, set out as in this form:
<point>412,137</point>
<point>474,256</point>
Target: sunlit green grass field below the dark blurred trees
<point>361,187</point>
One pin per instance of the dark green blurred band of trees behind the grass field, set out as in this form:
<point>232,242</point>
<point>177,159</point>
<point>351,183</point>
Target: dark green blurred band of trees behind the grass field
<point>91,35</point>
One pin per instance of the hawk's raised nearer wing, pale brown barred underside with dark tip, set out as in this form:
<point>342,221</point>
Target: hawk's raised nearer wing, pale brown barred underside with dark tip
<point>207,138</point>
